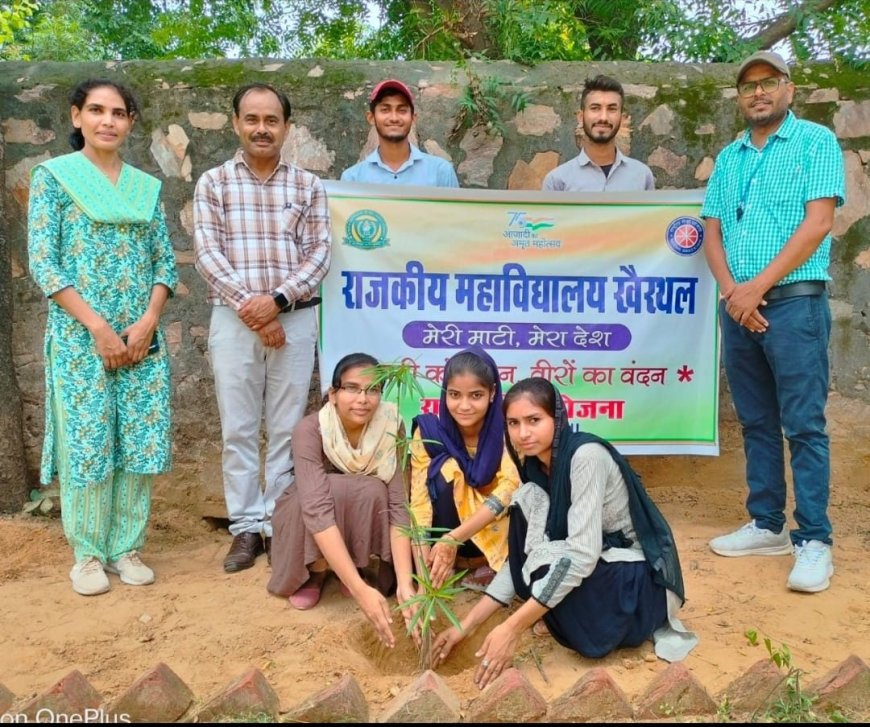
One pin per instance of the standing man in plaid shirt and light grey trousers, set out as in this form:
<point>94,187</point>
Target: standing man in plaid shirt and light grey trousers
<point>262,241</point>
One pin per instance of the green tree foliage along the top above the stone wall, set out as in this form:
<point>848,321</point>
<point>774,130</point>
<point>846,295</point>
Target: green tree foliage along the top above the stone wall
<point>525,31</point>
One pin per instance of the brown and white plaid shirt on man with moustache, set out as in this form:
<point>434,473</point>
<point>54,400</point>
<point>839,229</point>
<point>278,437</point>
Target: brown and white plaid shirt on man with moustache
<point>258,238</point>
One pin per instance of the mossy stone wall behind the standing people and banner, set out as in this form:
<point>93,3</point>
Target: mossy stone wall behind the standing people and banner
<point>681,117</point>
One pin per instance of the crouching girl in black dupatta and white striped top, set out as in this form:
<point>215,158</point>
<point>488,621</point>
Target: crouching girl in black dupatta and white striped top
<point>589,552</point>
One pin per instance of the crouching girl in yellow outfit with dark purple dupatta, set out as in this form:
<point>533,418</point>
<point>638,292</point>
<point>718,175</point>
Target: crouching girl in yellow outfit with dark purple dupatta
<point>462,478</point>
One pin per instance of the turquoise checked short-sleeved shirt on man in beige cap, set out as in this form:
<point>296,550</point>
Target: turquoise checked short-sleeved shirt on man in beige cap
<point>800,162</point>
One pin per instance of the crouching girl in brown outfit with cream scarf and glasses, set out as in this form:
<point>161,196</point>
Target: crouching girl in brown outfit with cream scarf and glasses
<point>347,502</point>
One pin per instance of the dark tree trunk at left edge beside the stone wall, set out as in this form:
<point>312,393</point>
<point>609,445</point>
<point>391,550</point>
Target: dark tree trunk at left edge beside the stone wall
<point>13,472</point>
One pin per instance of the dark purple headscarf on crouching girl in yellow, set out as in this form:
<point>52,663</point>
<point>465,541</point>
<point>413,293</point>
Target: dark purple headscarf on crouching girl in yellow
<point>448,443</point>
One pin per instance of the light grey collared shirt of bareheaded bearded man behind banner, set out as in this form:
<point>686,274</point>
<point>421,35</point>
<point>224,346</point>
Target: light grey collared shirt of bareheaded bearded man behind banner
<point>581,174</point>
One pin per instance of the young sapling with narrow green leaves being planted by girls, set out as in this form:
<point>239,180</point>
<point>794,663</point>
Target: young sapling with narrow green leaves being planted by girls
<point>401,381</point>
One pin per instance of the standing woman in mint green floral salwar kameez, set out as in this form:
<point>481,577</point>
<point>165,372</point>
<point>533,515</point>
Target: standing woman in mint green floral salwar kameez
<point>100,251</point>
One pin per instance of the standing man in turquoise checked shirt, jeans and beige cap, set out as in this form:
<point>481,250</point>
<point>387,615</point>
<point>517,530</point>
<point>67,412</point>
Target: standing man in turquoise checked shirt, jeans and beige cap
<point>769,210</point>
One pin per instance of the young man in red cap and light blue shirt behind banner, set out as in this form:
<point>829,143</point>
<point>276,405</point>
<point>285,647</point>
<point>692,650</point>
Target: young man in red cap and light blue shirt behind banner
<point>396,160</point>
